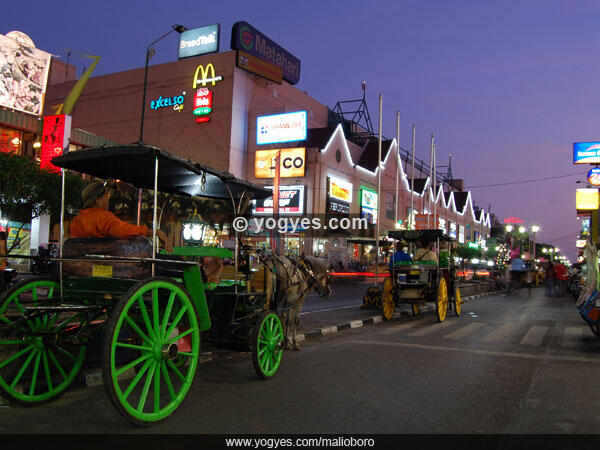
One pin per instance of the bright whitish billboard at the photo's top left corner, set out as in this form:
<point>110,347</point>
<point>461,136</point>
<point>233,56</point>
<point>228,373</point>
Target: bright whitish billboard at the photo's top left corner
<point>23,74</point>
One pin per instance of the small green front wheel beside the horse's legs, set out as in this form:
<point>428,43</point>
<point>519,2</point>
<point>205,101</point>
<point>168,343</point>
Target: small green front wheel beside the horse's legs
<point>267,345</point>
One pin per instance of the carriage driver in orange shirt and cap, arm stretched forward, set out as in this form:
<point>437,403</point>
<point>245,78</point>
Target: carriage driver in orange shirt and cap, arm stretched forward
<point>95,220</point>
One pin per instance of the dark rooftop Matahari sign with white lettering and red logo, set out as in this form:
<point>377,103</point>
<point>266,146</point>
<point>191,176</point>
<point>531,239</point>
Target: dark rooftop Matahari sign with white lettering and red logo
<point>249,39</point>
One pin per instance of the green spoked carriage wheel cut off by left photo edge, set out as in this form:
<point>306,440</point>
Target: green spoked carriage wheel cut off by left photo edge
<point>37,359</point>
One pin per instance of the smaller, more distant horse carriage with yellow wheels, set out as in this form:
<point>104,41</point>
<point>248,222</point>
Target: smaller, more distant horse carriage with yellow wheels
<point>419,281</point>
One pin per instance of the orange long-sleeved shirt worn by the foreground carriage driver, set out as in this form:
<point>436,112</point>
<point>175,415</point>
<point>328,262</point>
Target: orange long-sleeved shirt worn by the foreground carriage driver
<point>98,222</point>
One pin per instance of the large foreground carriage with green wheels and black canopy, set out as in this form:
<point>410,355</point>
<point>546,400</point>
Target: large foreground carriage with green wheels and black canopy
<point>137,312</point>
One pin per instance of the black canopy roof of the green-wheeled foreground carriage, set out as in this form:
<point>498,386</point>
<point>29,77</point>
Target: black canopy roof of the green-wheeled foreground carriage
<point>134,164</point>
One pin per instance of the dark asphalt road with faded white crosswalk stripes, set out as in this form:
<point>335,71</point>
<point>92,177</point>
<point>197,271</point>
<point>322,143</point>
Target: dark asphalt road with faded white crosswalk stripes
<point>507,365</point>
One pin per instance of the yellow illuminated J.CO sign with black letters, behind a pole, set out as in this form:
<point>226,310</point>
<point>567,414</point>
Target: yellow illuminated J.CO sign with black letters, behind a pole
<point>292,162</point>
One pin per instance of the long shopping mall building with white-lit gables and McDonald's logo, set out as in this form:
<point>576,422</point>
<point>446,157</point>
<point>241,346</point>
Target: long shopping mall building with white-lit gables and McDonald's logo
<point>228,109</point>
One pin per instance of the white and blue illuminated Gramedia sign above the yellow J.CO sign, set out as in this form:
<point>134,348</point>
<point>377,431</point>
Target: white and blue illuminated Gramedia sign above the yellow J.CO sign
<point>287,127</point>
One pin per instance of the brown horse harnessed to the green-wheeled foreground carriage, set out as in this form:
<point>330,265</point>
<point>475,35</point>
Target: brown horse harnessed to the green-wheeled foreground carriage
<point>295,278</point>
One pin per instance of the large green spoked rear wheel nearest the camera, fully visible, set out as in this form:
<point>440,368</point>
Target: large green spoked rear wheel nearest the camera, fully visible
<point>153,327</point>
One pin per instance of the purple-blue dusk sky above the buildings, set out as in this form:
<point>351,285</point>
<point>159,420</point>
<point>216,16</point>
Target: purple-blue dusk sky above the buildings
<point>506,86</point>
